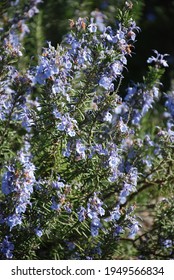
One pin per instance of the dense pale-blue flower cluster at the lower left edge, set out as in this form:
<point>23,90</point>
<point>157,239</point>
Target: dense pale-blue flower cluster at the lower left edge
<point>18,186</point>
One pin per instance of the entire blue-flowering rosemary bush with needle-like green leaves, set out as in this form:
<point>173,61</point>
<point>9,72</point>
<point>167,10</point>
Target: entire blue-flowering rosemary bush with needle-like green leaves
<point>86,171</point>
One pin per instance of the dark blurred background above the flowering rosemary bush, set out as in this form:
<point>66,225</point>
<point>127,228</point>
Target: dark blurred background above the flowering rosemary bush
<point>154,17</point>
